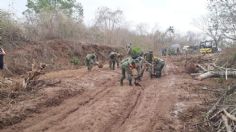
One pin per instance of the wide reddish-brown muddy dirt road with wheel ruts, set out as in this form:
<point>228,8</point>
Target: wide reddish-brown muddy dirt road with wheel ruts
<point>102,105</point>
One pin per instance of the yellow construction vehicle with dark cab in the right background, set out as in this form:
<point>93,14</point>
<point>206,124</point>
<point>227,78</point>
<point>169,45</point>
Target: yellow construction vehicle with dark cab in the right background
<point>208,47</point>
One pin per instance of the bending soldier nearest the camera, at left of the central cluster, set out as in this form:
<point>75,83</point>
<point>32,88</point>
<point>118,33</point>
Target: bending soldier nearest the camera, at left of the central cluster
<point>127,65</point>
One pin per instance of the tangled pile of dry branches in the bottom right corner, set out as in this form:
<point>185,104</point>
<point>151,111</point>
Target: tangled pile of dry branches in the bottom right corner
<point>221,116</point>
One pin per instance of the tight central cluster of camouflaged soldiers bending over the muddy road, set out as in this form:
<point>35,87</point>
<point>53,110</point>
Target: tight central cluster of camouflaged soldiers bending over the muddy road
<point>139,64</point>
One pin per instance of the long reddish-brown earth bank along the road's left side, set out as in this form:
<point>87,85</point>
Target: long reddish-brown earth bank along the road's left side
<point>58,54</point>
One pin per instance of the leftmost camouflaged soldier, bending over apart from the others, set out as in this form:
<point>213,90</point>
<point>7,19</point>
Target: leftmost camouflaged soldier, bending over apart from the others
<point>90,60</point>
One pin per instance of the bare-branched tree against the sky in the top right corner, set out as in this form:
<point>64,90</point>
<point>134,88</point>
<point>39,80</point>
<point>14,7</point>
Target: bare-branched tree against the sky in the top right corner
<point>220,23</point>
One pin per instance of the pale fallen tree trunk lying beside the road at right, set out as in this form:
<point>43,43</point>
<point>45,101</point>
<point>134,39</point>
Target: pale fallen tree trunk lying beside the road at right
<point>210,74</point>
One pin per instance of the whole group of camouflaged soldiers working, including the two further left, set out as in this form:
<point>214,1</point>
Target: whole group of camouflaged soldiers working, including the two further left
<point>132,67</point>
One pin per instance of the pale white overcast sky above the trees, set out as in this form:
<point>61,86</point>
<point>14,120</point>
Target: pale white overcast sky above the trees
<point>164,13</point>
